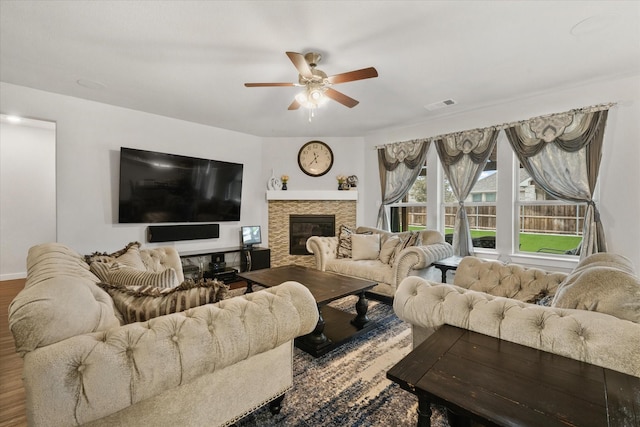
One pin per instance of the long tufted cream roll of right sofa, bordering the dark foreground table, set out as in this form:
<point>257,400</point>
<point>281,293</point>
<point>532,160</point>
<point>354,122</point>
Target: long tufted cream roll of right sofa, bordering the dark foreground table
<point>591,337</point>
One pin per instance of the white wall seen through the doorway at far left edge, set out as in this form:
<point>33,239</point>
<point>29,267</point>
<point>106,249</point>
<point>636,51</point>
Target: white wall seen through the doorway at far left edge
<point>27,192</point>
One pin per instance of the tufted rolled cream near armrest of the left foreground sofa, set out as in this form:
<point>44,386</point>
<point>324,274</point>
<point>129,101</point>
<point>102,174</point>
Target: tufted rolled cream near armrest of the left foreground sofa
<point>89,376</point>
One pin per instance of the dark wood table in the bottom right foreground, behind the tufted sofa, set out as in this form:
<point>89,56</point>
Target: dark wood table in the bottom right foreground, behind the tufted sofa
<point>499,383</point>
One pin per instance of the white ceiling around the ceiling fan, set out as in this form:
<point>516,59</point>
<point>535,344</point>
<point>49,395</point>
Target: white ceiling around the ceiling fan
<point>189,59</point>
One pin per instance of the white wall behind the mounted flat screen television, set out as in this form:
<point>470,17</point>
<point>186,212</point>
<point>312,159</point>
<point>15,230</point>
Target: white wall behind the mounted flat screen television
<point>89,136</point>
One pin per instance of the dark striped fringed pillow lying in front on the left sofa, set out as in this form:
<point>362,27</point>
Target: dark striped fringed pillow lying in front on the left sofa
<point>139,305</point>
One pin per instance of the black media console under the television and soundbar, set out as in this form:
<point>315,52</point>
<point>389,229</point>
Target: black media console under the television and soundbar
<point>251,259</point>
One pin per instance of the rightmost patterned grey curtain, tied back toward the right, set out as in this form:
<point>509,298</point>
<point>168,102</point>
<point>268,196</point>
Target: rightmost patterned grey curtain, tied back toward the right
<point>562,154</point>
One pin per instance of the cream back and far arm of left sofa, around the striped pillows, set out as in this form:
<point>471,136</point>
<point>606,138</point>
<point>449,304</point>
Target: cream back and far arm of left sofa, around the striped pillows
<point>61,299</point>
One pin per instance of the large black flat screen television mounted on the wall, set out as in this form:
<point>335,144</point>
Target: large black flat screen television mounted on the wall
<point>160,187</point>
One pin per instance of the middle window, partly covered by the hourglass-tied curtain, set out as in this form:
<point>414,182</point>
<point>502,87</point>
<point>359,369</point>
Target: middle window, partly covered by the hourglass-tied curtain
<point>480,206</point>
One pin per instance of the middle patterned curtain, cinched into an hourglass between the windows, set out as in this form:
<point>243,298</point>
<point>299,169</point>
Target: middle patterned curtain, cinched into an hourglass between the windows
<point>463,156</point>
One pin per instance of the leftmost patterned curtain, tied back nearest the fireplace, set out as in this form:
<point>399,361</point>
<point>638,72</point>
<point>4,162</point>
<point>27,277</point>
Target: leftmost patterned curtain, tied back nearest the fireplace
<point>399,164</point>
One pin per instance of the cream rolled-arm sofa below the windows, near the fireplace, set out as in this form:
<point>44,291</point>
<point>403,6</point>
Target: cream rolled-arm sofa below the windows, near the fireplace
<point>411,261</point>
